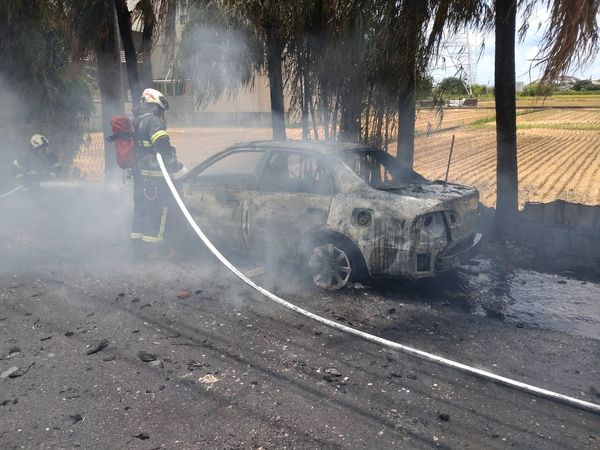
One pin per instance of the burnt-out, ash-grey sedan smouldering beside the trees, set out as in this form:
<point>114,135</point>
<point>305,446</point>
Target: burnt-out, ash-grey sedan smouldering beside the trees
<point>344,211</point>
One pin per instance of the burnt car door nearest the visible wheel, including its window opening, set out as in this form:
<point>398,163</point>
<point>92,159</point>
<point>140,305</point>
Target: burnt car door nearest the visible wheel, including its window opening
<point>293,196</point>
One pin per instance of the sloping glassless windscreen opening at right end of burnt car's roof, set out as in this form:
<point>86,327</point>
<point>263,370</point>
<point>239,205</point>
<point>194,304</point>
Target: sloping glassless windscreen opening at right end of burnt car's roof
<point>380,169</point>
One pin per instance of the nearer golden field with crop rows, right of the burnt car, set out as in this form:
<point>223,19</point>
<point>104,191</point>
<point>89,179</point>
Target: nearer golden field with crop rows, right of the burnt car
<point>553,164</point>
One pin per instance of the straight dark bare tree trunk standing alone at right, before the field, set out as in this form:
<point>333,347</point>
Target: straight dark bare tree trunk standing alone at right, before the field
<point>507,180</point>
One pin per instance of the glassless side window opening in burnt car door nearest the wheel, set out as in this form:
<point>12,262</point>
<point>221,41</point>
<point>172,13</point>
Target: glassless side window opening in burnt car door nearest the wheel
<point>295,172</point>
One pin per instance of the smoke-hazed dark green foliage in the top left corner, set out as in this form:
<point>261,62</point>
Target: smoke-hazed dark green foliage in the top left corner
<point>41,91</point>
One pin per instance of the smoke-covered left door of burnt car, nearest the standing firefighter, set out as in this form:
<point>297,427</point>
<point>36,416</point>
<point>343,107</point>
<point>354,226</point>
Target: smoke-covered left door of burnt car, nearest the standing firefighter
<point>214,193</point>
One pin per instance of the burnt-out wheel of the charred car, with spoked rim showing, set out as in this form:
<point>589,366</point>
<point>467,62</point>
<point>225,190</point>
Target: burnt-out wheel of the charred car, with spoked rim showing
<point>333,263</point>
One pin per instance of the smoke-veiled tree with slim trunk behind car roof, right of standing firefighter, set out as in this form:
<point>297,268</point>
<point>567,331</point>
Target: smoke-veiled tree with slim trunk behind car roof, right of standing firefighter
<point>248,35</point>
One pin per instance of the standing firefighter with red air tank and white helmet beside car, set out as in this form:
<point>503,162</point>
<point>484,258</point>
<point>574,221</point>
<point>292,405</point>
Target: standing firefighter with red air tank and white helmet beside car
<point>151,195</point>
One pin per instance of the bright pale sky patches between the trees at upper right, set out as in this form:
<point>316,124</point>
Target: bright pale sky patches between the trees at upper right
<point>525,52</point>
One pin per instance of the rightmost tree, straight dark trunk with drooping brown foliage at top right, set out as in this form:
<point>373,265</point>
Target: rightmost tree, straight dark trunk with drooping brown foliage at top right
<point>571,38</point>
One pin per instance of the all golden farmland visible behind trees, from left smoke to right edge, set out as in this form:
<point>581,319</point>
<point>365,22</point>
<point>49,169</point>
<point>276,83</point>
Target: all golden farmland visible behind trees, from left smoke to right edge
<point>558,151</point>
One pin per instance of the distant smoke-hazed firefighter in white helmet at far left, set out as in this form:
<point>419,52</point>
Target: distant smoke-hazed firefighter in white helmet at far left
<point>38,163</point>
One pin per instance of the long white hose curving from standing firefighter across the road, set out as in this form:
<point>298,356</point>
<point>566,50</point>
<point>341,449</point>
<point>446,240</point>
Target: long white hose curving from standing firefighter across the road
<point>591,407</point>
